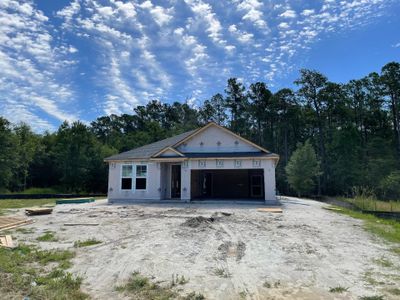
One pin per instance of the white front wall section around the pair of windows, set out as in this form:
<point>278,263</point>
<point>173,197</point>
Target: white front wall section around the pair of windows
<point>153,187</point>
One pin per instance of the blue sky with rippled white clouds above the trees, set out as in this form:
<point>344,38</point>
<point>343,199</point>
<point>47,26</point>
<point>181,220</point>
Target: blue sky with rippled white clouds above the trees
<point>81,59</point>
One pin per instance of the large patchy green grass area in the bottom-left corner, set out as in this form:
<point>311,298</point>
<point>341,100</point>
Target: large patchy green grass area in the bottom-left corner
<point>27,271</point>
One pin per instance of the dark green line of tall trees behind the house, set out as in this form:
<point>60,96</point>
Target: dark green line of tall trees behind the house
<point>354,128</point>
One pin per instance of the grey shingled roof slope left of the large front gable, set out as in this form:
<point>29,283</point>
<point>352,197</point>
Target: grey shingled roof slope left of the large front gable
<point>149,150</point>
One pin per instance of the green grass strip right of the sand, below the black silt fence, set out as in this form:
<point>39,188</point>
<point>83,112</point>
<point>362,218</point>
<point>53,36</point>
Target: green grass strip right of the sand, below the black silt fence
<point>387,229</point>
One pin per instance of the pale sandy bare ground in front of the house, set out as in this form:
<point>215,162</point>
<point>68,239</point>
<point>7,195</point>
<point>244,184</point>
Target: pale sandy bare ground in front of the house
<point>241,254</point>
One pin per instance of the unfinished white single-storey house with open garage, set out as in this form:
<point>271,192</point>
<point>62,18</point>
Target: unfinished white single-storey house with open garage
<point>211,163</point>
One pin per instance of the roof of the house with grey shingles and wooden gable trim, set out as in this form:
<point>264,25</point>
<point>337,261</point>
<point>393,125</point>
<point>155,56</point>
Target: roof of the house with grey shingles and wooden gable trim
<point>154,150</point>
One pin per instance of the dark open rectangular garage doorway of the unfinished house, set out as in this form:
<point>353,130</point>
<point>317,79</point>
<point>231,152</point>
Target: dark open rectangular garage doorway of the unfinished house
<point>227,184</point>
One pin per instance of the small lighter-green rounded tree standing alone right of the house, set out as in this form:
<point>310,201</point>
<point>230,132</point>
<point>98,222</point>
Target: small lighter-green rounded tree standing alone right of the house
<point>302,169</point>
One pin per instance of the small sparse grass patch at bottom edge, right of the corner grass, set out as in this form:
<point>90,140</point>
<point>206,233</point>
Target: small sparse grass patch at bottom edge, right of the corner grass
<point>140,287</point>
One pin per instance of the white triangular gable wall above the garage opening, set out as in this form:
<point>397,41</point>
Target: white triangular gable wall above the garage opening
<point>210,138</point>
